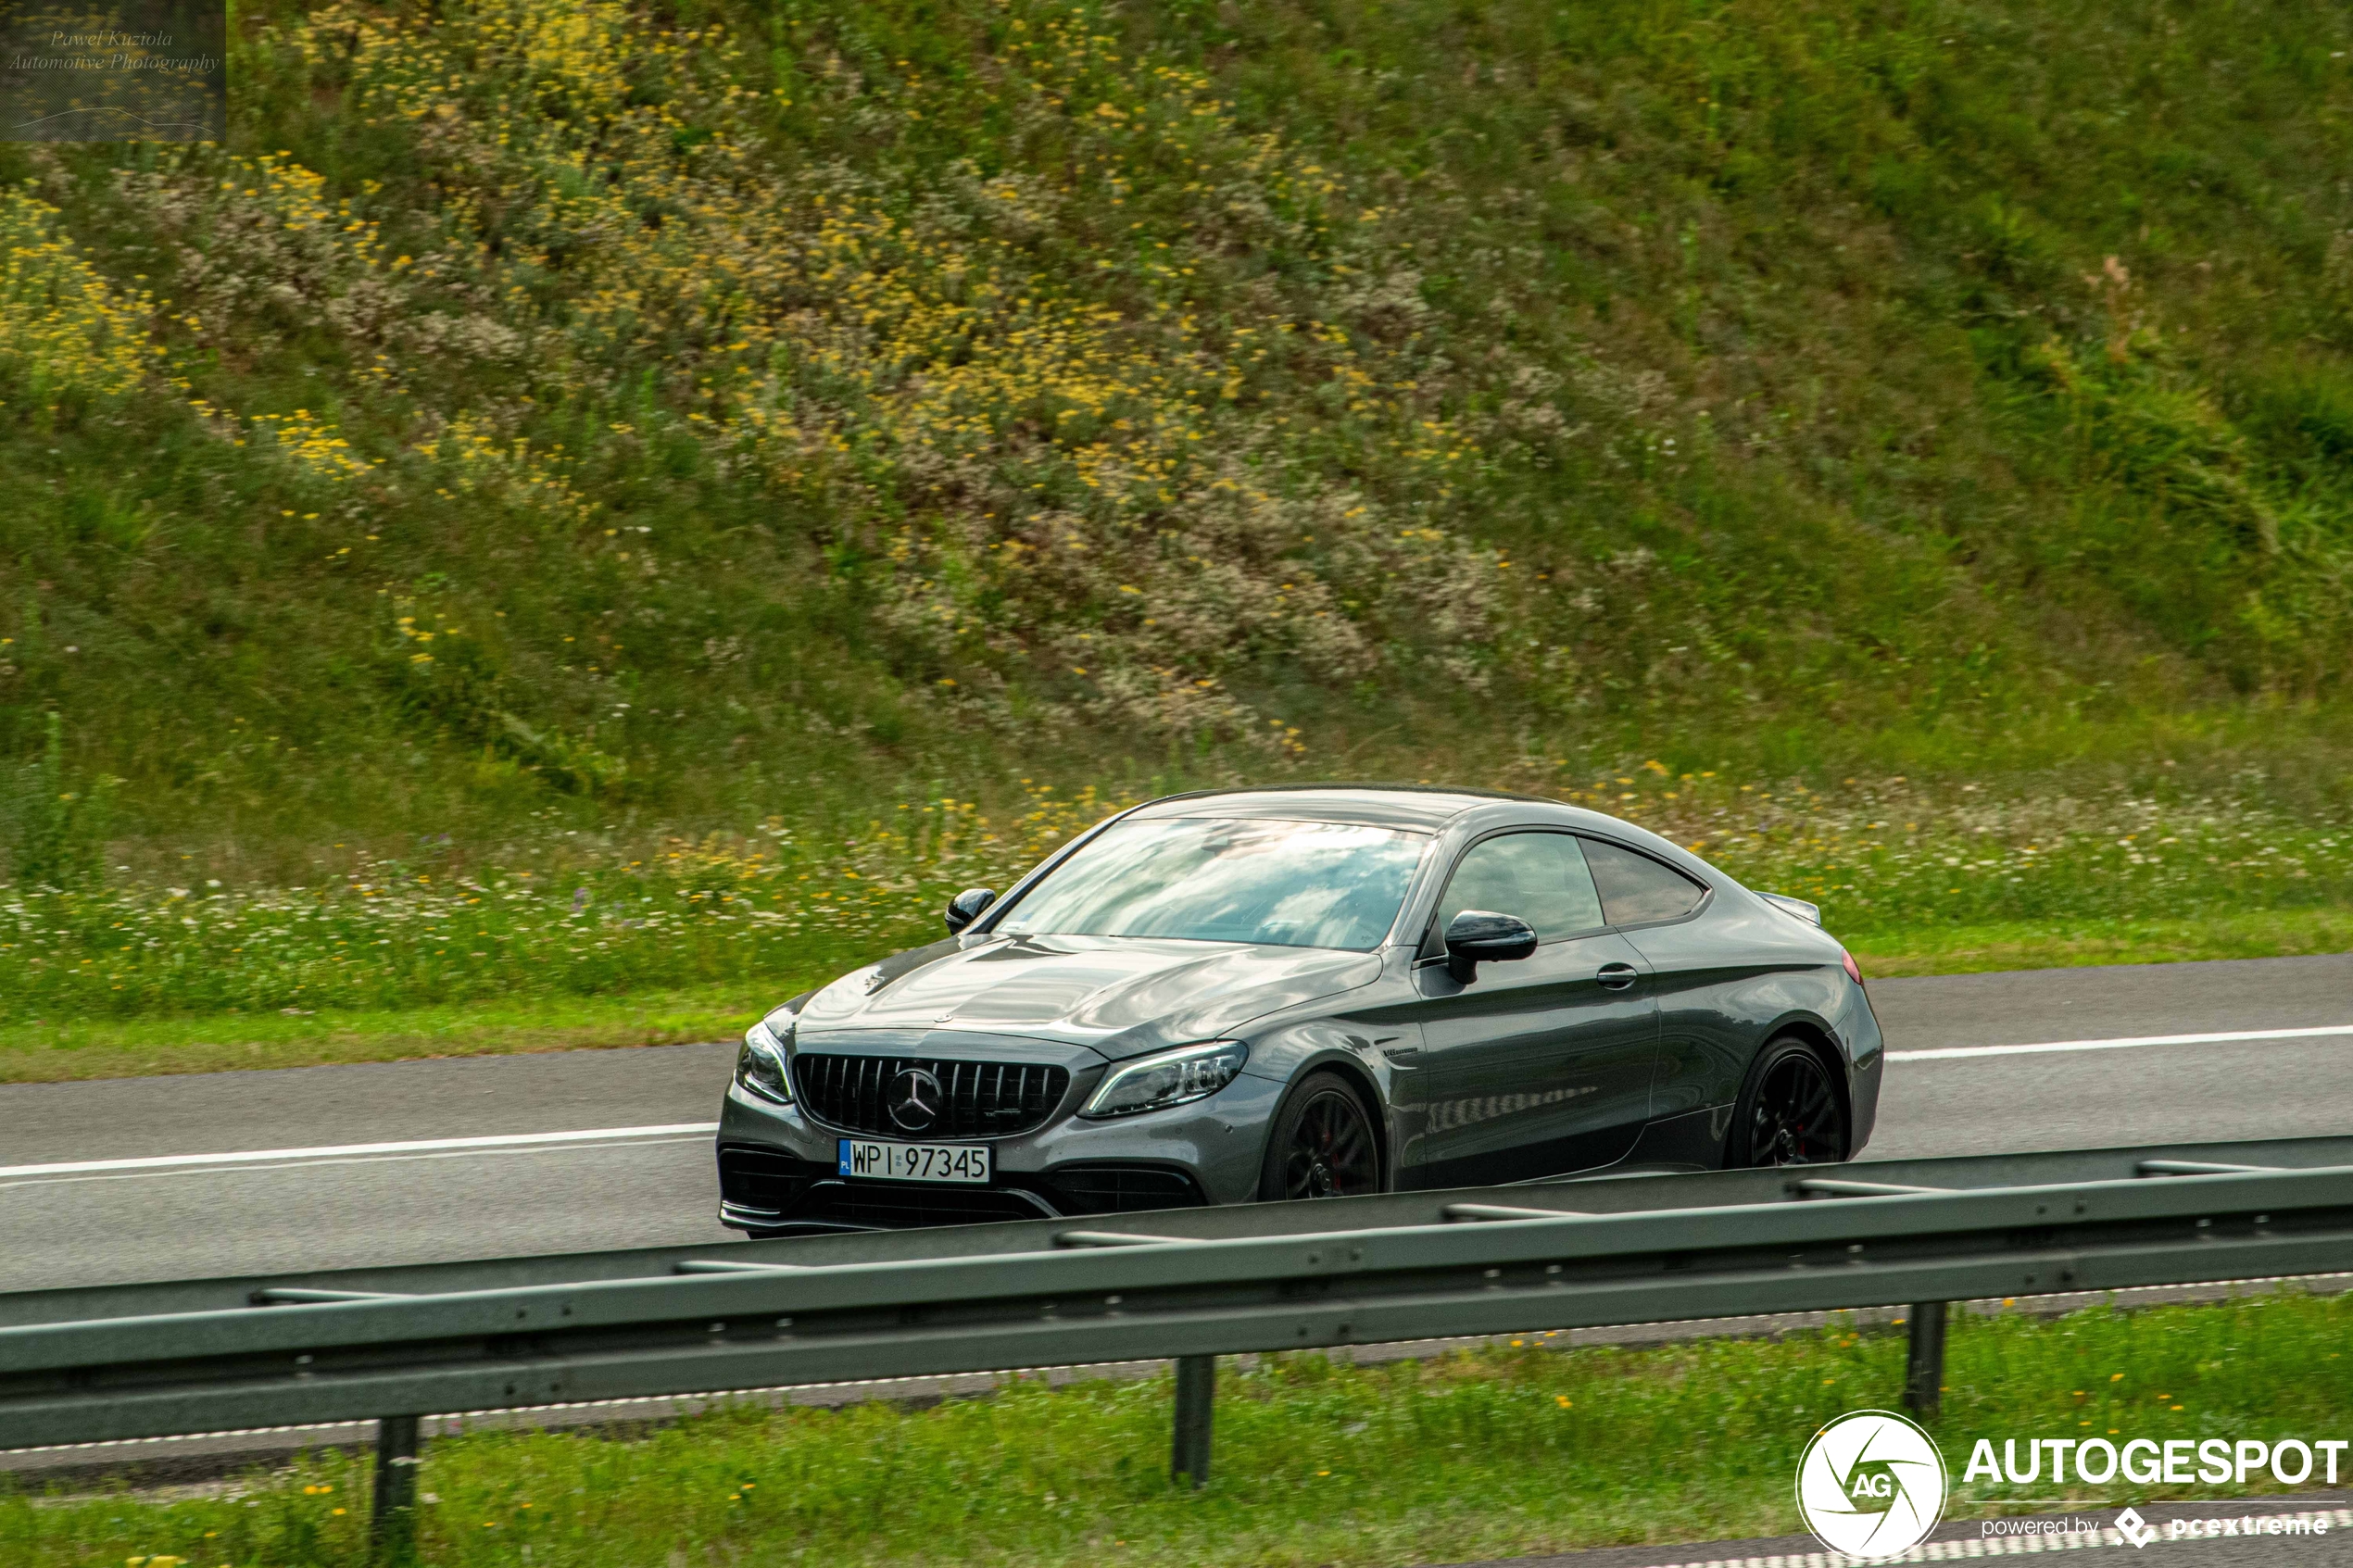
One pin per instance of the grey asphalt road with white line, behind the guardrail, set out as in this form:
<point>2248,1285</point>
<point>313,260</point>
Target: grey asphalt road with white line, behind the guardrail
<point>300,1177</point>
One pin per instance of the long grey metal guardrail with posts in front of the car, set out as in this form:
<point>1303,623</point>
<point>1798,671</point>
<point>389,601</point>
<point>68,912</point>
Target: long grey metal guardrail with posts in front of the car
<point>392,1346</point>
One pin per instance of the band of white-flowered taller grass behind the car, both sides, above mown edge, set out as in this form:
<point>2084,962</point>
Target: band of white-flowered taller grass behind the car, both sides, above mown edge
<point>582,916</point>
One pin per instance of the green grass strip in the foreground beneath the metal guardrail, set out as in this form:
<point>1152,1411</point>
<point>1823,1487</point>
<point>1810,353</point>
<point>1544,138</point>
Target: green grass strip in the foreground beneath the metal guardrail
<point>1462,1459</point>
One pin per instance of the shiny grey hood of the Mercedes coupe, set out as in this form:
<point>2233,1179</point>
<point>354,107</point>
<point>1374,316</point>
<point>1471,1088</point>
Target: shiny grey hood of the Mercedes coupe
<point>1114,993</point>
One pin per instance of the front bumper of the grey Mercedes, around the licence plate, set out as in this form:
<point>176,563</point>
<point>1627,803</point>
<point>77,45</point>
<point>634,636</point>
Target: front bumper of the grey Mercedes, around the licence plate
<point>780,1167</point>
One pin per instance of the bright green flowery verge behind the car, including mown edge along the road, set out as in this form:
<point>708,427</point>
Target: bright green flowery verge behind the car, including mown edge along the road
<point>585,946</point>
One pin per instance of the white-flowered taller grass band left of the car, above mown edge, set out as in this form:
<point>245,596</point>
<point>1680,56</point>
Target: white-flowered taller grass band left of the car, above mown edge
<point>575,920</point>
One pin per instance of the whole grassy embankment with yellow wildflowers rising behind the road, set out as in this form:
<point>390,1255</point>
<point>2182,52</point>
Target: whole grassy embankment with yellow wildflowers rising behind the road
<point>545,438</point>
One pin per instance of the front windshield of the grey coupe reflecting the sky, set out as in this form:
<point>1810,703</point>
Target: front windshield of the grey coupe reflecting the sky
<point>1215,880</point>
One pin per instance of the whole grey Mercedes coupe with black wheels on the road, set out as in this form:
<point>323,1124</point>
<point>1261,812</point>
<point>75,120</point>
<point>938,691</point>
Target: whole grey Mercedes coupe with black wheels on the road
<point>1305,993</point>
